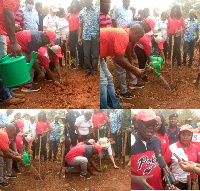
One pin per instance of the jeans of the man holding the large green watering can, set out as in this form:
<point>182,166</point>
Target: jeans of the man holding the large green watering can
<point>5,93</point>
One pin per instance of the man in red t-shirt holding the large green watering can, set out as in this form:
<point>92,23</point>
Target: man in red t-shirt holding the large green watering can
<point>8,8</point>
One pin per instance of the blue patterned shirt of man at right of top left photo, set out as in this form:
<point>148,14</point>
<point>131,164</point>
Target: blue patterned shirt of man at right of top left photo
<point>90,20</point>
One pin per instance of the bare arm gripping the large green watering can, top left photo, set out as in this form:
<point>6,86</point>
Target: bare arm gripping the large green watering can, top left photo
<point>10,28</point>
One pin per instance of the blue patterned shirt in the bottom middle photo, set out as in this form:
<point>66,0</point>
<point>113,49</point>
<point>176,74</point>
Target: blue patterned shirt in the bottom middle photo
<point>115,120</point>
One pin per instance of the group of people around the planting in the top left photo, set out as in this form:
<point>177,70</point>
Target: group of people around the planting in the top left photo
<point>65,32</point>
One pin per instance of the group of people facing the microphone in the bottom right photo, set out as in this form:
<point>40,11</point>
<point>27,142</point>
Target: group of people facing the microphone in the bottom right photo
<point>175,144</point>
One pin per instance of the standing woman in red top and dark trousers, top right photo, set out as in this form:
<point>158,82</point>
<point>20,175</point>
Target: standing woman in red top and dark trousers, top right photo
<point>176,26</point>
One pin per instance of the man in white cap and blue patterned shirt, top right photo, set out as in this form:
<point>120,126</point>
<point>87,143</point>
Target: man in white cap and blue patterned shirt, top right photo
<point>190,36</point>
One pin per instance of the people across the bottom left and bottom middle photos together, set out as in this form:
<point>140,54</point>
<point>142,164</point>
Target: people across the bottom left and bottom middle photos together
<point>80,137</point>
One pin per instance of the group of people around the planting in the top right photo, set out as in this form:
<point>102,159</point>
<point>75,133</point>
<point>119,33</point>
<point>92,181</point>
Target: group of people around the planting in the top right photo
<point>131,38</point>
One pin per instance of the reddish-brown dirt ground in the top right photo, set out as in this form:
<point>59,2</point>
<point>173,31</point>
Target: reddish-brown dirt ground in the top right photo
<point>183,94</point>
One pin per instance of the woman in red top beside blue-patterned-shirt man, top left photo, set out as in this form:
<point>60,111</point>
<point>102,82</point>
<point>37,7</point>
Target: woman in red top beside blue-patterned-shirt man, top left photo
<point>73,19</point>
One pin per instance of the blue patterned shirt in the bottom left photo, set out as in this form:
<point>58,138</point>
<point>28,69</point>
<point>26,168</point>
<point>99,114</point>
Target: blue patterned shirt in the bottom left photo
<point>56,130</point>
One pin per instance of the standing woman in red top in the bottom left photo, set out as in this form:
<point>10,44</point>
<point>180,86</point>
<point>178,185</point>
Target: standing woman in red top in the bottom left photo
<point>42,130</point>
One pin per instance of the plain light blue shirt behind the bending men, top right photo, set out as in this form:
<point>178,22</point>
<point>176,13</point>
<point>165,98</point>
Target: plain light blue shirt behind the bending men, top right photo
<point>122,15</point>
